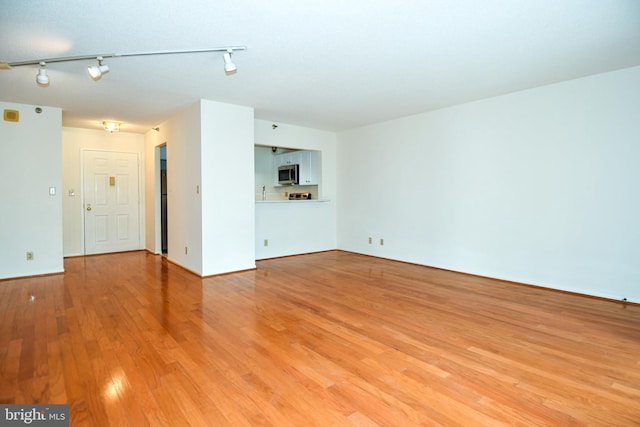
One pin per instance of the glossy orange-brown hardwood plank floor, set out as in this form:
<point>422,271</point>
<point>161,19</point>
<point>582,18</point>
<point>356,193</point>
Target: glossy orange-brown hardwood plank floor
<point>324,339</point>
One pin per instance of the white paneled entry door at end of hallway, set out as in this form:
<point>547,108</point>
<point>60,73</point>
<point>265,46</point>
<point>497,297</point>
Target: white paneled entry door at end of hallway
<point>111,201</point>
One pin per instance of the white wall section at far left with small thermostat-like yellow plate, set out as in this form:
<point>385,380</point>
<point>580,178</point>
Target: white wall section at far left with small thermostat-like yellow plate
<point>31,218</point>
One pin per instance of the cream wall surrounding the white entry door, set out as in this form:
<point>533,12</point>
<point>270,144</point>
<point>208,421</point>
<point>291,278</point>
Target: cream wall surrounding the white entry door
<point>74,141</point>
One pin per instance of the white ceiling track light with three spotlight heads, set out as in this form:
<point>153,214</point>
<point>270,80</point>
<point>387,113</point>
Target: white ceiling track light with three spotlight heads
<point>97,71</point>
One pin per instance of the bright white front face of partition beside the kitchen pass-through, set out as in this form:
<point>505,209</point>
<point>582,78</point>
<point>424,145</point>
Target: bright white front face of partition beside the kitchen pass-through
<point>228,210</point>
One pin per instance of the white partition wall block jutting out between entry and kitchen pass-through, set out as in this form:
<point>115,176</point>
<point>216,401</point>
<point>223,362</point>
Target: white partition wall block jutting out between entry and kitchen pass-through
<point>211,217</point>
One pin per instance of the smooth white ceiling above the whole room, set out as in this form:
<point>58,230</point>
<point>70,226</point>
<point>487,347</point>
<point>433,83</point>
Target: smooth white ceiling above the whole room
<point>326,64</point>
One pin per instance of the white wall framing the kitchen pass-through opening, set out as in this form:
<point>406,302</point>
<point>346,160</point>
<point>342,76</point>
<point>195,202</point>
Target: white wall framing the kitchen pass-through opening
<point>297,227</point>
